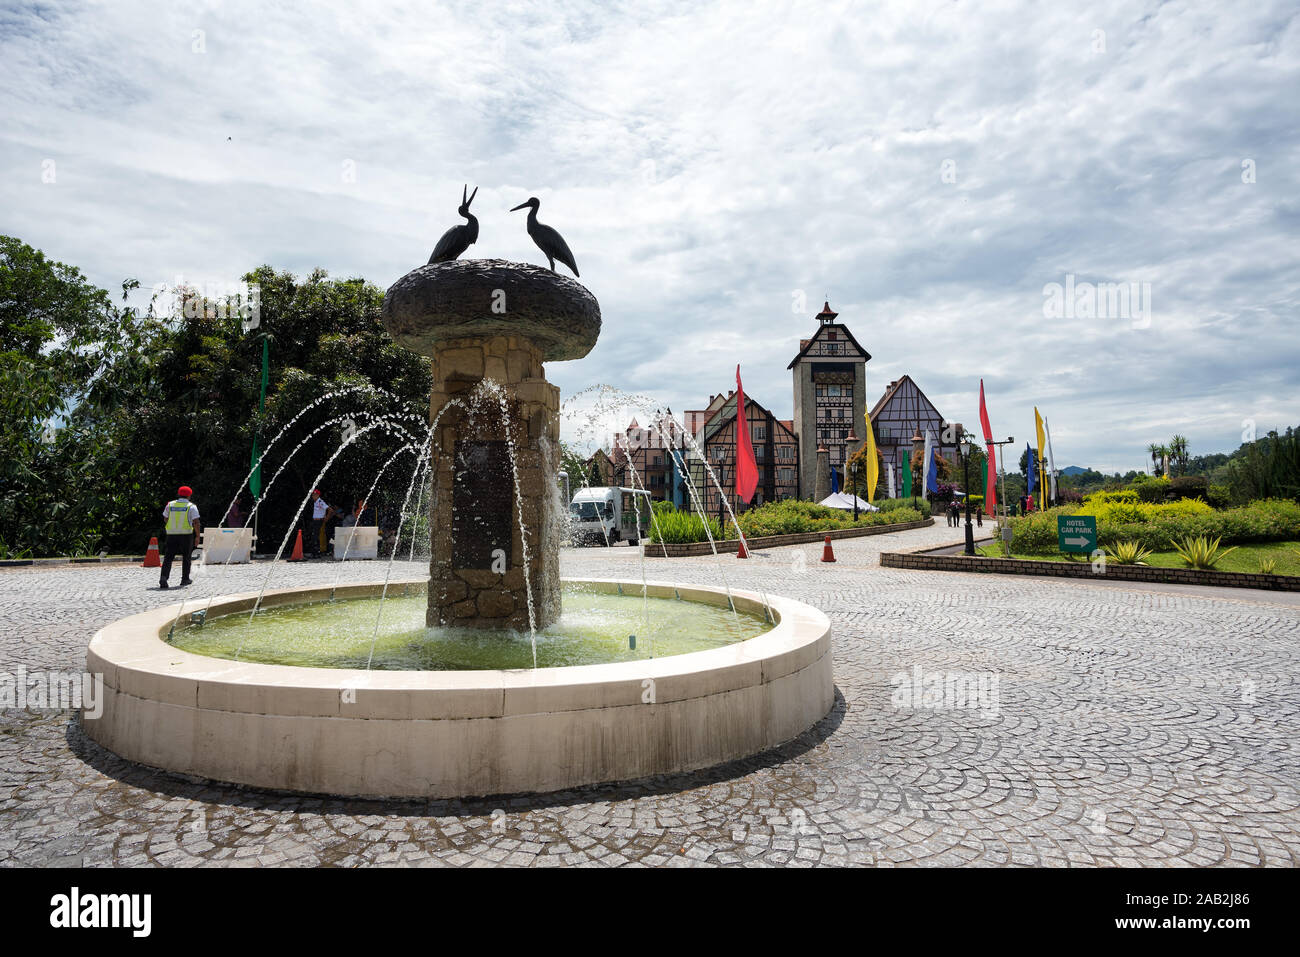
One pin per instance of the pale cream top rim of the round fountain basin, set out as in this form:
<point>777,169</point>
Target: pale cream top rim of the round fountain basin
<point>136,661</point>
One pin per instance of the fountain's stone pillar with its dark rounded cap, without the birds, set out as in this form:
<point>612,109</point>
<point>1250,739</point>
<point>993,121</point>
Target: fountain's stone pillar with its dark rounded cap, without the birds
<point>497,322</point>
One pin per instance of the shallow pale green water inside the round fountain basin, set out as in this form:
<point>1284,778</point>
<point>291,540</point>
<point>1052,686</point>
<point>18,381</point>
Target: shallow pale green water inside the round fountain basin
<point>593,630</point>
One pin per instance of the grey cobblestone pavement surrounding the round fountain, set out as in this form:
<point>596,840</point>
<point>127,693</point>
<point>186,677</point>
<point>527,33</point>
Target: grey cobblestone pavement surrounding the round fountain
<point>1132,726</point>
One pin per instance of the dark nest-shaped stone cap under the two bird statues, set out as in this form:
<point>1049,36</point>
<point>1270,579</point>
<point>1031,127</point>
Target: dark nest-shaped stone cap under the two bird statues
<point>480,298</point>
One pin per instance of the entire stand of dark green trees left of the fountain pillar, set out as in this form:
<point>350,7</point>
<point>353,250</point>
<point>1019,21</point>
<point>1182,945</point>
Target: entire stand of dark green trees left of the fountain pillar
<point>151,402</point>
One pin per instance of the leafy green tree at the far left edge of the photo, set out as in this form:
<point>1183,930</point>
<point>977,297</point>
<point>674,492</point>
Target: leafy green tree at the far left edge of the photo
<point>71,362</point>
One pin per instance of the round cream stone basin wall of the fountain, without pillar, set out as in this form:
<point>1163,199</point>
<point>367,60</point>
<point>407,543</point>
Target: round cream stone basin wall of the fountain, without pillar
<point>456,734</point>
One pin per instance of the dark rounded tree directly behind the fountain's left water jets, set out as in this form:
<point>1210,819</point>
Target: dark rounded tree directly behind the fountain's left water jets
<point>328,350</point>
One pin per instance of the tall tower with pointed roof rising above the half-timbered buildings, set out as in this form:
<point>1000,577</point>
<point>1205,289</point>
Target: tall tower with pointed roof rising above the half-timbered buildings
<point>830,395</point>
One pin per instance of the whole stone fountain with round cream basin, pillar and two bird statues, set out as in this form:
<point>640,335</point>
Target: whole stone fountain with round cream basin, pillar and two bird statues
<point>488,327</point>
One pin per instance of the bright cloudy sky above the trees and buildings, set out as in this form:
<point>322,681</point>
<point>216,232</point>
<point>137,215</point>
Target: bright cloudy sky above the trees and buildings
<point>720,170</point>
